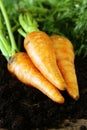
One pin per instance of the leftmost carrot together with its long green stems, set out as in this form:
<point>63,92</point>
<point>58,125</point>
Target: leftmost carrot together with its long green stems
<point>20,65</point>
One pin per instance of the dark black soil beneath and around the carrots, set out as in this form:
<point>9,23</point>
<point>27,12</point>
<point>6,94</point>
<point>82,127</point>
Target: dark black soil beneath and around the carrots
<point>23,107</point>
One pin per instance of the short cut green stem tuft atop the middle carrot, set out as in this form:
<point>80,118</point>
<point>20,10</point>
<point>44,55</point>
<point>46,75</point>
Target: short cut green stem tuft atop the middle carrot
<point>27,23</point>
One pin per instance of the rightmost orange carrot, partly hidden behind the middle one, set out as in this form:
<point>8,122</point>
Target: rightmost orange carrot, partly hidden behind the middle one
<point>65,58</point>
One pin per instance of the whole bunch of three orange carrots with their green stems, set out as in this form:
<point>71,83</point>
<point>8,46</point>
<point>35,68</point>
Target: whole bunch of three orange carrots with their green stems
<point>45,62</point>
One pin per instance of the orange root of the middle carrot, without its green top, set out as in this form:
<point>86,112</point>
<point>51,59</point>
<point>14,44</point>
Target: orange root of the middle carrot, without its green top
<point>39,47</point>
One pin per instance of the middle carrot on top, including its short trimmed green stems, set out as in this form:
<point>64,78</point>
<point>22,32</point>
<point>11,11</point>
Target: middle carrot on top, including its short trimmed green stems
<point>38,45</point>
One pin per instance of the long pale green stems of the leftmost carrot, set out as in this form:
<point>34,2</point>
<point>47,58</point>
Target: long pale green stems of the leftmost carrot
<point>8,48</point>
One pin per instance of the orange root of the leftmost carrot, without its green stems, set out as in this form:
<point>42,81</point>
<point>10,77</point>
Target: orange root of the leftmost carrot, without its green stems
<point>22,67</point>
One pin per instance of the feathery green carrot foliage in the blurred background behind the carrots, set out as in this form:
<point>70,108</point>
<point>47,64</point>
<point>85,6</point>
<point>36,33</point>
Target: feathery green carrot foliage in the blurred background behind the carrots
<point>63,17</point>
